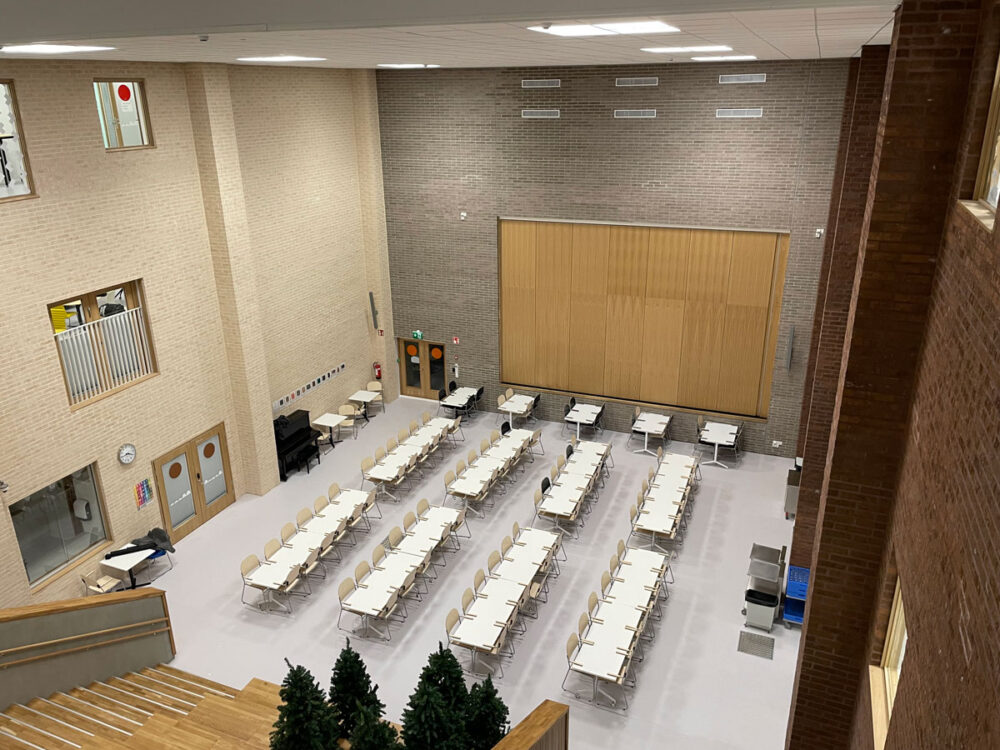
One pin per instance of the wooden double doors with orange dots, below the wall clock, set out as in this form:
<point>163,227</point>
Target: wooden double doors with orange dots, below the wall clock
<point>194,482</point>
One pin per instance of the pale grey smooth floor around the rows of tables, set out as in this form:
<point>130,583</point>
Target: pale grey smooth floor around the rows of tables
<point>694,692</point>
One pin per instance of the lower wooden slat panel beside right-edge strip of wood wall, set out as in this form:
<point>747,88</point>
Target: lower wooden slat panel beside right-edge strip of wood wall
<point>742,351</point>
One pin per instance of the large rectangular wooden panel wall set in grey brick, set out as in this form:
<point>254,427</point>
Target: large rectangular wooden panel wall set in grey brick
<point>680,317</point>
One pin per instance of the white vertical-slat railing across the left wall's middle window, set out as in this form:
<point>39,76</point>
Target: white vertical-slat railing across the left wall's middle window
<point>105,354</point>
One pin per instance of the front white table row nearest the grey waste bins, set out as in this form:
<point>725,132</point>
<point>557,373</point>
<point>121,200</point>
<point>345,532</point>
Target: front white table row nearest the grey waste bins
<point>613,635</point>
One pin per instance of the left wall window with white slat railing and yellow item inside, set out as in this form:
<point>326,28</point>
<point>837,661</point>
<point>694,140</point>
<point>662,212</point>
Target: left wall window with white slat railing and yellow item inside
<point>103,341</point>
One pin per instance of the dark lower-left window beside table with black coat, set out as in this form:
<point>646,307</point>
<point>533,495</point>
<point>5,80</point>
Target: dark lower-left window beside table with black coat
<point>59,523</point>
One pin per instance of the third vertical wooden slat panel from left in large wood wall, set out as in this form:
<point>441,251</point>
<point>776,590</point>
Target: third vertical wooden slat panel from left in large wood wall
<point>589,289</point>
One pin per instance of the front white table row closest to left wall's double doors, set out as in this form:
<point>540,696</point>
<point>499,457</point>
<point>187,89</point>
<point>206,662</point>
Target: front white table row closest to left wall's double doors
<point>317,535</point>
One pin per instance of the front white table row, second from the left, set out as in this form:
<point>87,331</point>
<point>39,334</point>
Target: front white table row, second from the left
<point>374,598</point>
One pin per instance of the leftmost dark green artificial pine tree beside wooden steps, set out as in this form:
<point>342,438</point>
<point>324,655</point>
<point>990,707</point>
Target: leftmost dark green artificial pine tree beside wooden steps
<point>305,720</point>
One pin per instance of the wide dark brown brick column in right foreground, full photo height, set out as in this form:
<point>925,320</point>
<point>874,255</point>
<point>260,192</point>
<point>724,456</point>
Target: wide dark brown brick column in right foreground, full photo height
<point>899,240</point>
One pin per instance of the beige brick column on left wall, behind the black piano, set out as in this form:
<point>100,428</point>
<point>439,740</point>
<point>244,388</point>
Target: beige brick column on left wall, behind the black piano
<point>232,260</point>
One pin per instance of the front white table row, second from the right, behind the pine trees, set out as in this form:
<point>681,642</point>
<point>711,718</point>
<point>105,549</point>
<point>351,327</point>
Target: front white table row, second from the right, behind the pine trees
<point>487,623</point>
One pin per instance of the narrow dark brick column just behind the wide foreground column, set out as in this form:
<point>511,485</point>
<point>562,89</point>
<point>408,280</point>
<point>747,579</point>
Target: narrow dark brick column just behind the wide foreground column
<point>862,108</point>
